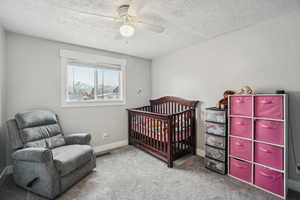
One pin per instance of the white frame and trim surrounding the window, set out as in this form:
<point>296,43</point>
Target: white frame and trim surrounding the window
<point>68,56</point>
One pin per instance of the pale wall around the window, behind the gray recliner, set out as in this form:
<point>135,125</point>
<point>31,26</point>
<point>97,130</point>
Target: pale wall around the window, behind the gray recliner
<point>33,81</point>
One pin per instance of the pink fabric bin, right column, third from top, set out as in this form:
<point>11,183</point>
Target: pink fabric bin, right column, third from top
<point>268,155</point>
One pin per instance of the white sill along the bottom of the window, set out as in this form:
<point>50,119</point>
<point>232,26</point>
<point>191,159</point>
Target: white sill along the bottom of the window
<point>92,104</point>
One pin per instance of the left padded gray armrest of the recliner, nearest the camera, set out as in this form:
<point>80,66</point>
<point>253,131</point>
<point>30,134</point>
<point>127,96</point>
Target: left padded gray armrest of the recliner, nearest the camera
<point>33,154</point>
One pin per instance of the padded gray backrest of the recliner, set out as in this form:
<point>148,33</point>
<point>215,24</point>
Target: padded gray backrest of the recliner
<point>39,128</point>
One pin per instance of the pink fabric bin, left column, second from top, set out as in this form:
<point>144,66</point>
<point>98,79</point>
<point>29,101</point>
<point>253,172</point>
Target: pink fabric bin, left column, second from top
<point>241,127</point>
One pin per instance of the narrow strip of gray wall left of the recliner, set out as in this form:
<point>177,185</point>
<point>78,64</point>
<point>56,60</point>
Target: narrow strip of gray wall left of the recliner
<point>2,96</point>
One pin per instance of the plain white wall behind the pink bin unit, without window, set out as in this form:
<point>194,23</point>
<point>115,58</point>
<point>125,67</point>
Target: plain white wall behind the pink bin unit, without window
<point>265,56</point>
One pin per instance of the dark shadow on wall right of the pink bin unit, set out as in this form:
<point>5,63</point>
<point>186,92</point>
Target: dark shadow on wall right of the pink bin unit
<point>294,133</point>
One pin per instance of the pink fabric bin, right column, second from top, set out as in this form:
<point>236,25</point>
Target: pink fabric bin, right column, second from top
<point>269,131</point>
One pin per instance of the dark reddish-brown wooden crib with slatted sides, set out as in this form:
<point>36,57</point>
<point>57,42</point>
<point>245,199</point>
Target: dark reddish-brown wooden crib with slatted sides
<point>166,128</point>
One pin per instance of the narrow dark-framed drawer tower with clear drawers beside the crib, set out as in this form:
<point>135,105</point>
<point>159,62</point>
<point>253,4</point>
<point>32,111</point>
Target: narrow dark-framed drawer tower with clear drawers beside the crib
<point>216,140</point>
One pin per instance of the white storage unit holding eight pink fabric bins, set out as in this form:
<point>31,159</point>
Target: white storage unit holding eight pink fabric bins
<point>259,158</point>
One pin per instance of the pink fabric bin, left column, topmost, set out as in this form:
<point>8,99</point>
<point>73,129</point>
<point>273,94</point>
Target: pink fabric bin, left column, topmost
<point>241,105</point>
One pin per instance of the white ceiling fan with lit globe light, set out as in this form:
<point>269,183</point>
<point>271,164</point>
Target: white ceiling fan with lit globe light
<point>127,19</point>
